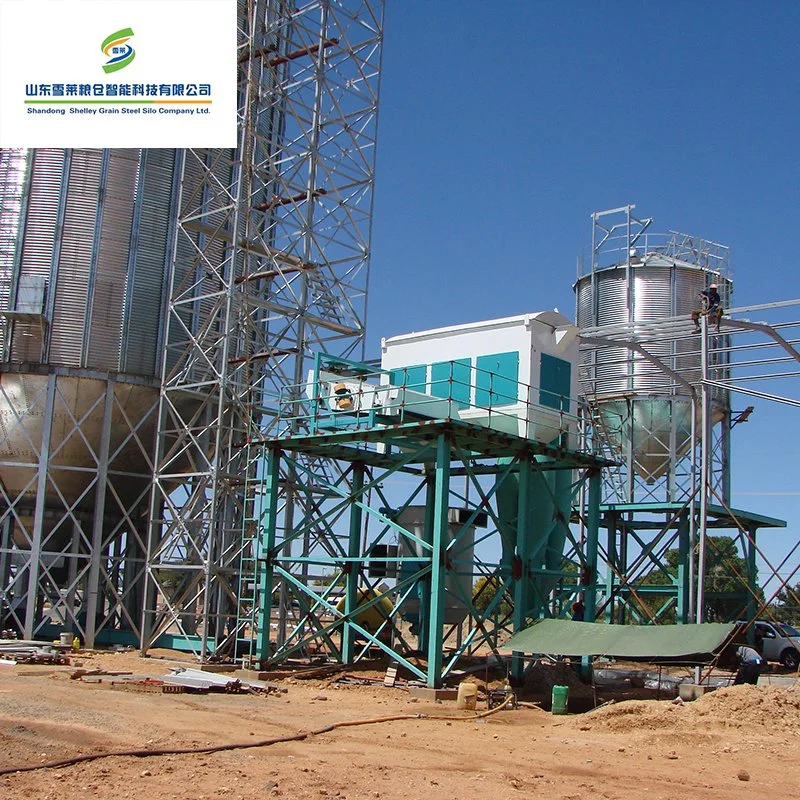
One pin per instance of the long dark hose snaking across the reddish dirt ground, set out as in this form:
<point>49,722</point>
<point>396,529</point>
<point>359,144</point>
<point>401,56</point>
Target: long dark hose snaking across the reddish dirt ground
<point>297,737</point>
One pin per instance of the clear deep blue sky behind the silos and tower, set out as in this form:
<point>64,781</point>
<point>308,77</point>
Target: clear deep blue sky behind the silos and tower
<point>504,125</point>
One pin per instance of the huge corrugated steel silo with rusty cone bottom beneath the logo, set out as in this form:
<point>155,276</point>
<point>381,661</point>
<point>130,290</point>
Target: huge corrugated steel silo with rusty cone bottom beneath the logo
<point>86,240</point>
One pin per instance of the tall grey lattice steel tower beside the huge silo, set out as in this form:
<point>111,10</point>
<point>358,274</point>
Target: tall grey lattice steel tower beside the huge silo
<point>276,249</point>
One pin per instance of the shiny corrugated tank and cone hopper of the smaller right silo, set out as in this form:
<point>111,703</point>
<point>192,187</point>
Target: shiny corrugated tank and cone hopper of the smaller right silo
<point>644,414</point>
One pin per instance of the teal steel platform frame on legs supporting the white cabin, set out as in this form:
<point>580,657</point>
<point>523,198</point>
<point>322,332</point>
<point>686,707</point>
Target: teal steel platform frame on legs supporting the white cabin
<point>422,506</point>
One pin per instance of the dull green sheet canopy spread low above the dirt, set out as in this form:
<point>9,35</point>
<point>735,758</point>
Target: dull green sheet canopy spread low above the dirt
<point>651,642</point>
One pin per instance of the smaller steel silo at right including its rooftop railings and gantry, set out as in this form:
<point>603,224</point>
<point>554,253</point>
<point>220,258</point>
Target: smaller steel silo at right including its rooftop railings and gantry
<point>641,288</point>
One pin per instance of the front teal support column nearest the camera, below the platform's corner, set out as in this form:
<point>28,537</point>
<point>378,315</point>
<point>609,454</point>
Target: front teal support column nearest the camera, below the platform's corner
<point>438,566</point>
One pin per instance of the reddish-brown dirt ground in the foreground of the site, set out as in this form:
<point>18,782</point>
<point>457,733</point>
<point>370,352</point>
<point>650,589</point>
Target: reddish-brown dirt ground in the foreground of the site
<point>729,744</point>
